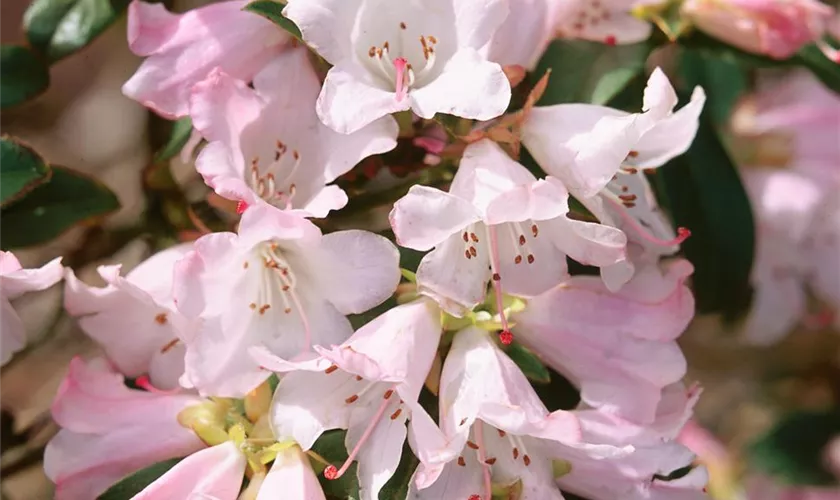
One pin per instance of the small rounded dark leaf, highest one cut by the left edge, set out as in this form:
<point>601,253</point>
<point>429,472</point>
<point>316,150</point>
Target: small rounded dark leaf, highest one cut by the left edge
<point>22,75</point>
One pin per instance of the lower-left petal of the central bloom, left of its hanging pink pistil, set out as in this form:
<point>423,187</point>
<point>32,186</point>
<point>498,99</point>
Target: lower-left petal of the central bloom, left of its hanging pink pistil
<point>455,282</point>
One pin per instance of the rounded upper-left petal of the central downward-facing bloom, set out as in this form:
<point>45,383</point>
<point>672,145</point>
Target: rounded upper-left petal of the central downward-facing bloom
<point>425,217</point>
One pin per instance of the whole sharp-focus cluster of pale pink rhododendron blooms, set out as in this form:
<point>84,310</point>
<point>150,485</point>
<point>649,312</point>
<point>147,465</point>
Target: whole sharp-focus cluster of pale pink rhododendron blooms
<point>238,346</point>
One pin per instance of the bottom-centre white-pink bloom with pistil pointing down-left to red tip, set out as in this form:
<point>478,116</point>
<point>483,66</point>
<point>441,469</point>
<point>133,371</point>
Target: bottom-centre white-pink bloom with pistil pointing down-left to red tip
<point>370,389</point>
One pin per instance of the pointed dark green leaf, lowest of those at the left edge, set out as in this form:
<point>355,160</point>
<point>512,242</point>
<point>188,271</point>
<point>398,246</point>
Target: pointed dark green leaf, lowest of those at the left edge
<point>68,199</point>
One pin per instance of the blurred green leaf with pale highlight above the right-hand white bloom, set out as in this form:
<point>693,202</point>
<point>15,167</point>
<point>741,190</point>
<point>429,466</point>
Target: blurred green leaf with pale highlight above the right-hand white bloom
<point>589,72</point>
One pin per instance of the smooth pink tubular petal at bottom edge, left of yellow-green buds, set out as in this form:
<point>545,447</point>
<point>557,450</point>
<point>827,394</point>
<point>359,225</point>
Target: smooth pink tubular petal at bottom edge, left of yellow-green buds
<point>215,472</point>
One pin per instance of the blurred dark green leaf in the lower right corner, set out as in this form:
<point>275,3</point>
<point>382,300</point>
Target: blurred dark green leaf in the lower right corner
<point>793,450</point>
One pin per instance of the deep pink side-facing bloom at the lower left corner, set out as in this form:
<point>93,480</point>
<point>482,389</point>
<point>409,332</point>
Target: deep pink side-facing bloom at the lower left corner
<point>110,431</point>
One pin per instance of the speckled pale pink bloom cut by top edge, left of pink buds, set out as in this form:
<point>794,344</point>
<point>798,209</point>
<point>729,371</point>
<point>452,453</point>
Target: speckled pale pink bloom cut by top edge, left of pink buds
<point>608,22</point>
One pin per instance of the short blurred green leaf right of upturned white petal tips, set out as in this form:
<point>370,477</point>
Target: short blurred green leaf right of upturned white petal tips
<point>723,80</point>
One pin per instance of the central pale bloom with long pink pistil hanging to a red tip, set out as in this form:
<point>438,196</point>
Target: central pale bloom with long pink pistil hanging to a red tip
<point>496,222</point>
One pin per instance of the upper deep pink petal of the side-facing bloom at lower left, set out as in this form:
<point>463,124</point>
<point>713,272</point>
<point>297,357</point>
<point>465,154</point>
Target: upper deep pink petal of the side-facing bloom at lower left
<point>92,399</point>
